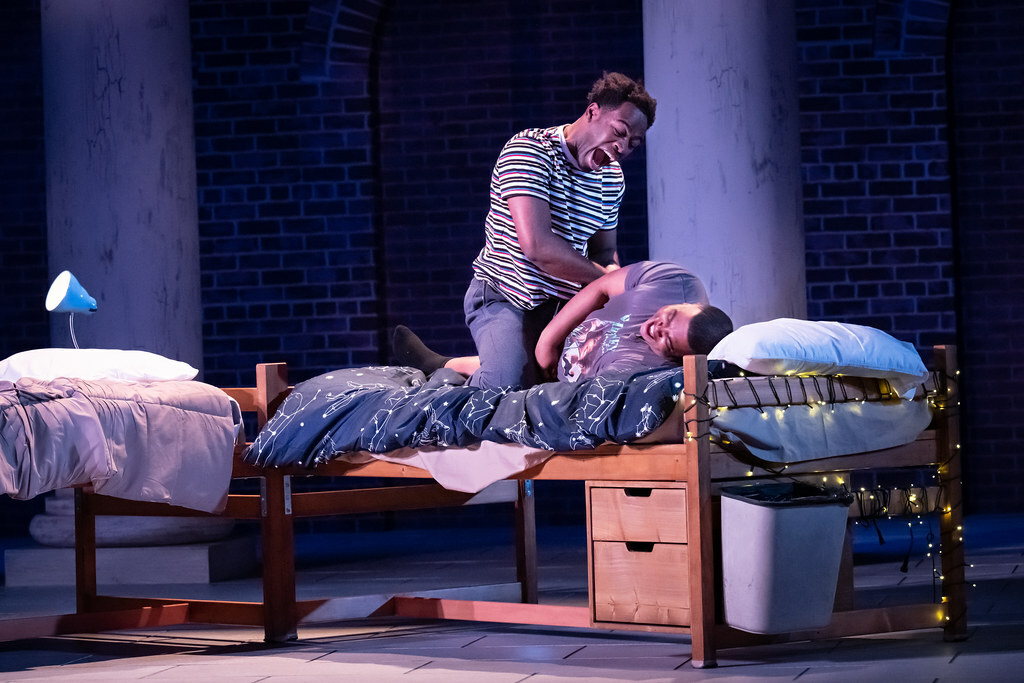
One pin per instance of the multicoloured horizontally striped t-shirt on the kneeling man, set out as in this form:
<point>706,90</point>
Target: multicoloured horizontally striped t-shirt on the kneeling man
<point>537,163</point>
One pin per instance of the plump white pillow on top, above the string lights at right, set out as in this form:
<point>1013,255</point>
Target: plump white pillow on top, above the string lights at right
<point>790,347</point>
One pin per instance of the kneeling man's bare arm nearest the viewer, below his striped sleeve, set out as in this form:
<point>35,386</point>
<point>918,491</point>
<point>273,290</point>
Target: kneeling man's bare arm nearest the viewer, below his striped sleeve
<point>549,252</point>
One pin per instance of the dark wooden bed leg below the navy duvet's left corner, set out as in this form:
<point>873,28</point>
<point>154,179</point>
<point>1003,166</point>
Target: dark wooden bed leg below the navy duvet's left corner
<point>278,538</point>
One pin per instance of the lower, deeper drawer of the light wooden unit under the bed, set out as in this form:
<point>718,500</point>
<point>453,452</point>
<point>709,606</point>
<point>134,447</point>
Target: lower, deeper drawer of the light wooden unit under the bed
<point>642,583</point>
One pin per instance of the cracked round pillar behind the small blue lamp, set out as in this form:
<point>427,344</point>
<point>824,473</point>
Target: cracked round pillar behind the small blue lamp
<point>121,172</point>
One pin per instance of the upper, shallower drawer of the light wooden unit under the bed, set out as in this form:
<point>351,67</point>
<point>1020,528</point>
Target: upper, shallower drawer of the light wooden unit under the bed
<point>638,514</point>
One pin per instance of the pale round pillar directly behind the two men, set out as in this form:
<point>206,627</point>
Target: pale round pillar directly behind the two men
<point>723,157</point>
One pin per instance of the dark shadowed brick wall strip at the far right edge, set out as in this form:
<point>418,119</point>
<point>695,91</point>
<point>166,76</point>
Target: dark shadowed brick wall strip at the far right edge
<point>989,101</point>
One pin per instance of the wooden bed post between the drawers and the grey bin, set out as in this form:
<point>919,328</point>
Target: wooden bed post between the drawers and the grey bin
<point>699,511</point>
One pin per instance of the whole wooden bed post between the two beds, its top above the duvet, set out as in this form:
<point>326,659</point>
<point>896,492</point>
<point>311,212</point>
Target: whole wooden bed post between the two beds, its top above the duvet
<point>277,525</point>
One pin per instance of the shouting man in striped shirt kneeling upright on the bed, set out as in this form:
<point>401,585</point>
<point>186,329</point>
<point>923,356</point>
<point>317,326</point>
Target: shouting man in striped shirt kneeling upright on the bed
<point>556,195</point>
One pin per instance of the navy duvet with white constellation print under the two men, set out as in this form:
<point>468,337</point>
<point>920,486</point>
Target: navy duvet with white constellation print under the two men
<point>380,410</point>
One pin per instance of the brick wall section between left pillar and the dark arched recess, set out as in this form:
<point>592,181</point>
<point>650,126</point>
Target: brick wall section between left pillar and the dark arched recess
<point>287,187</point>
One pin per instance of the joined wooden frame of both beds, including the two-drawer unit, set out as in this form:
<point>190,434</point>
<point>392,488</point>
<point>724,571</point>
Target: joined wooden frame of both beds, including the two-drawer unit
<point>685,476</point>
